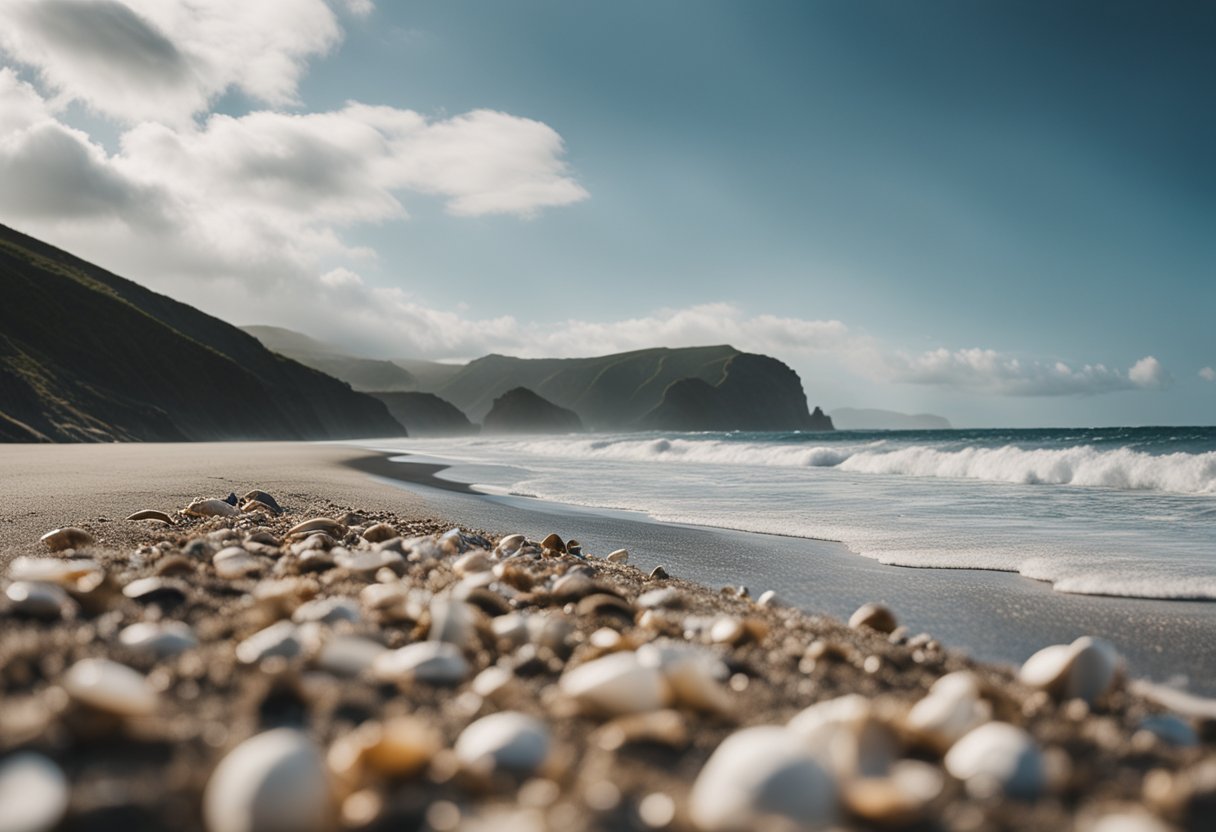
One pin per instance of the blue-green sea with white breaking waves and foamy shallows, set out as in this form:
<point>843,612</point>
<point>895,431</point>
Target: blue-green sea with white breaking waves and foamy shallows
<point>1105,511</point>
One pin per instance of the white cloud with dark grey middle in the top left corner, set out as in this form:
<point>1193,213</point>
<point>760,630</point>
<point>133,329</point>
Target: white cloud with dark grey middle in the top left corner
<point>155,60</point>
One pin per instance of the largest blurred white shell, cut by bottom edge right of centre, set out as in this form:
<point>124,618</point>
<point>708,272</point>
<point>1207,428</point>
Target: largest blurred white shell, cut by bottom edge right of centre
<point>759,775</point>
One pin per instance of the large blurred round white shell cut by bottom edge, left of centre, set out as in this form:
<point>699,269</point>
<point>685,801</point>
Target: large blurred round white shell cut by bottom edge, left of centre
<point>273,783</point>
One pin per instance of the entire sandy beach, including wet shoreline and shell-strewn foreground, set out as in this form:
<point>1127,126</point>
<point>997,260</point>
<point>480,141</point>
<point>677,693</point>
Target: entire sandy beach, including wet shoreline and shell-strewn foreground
<point>622,684</point>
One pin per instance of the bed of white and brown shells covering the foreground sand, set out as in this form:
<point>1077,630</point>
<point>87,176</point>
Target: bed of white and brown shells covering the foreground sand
<point>232,666</point>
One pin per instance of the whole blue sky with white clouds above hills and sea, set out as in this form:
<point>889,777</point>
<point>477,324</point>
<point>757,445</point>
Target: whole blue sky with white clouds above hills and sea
<point>1004,213</point>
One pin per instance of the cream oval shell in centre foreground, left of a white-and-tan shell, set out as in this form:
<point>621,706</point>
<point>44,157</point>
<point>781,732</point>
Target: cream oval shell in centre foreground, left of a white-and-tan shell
<point>617,684</point>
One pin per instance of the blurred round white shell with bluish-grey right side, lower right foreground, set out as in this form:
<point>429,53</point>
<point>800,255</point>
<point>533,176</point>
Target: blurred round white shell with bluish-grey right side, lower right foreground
<point>998,758</point>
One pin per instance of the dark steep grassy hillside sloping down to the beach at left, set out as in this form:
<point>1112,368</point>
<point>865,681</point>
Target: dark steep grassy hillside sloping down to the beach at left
<point>87,356</point>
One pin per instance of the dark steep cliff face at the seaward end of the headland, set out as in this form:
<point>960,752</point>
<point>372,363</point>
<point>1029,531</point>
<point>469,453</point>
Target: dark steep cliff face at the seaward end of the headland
<point>757,393</point>
